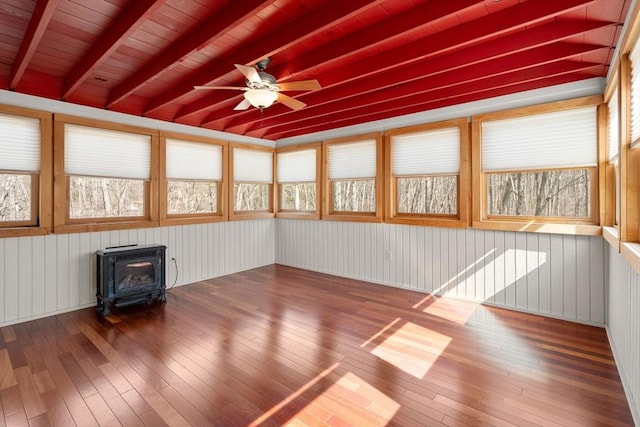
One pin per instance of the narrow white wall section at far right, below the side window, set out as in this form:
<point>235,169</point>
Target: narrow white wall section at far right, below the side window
<point>623,325</point>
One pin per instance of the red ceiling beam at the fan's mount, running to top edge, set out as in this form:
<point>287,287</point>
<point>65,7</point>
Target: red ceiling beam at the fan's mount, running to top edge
<point>311,24</point>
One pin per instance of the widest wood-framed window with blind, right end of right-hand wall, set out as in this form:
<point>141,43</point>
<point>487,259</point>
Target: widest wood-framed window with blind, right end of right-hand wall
<point>536,168</point>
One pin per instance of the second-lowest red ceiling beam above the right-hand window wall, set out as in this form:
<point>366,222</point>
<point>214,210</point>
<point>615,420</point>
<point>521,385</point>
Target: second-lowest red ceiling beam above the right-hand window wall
<point>500,68</point>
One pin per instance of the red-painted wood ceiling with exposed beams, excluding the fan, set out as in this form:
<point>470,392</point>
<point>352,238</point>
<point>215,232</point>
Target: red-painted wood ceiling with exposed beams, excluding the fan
<point>374,59</point>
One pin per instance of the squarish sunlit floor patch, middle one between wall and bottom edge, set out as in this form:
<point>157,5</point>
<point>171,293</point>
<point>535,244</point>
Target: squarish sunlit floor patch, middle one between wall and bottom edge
<point>412,349</point>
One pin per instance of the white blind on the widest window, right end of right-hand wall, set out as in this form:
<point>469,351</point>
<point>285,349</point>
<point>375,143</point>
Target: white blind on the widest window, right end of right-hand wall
<point>551,140</point>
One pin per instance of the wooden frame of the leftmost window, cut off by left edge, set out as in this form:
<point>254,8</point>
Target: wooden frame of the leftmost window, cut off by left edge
<point>41,183</point>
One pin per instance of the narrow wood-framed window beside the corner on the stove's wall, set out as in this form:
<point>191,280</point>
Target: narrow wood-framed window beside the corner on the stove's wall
<point>252,181</point>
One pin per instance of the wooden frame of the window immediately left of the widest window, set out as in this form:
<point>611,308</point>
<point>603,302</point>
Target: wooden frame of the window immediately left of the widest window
<point>459,220</point>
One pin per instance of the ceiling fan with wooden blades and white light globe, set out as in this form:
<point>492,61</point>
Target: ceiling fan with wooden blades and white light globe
<point>263,89</point>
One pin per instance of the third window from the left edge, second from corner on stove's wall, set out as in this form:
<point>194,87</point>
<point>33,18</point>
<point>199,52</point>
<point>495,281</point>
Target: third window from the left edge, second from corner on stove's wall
<point>192,190</point>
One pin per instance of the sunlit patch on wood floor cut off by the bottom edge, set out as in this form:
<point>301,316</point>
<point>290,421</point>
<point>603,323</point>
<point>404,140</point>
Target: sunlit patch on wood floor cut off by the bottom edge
<point>351,401</point>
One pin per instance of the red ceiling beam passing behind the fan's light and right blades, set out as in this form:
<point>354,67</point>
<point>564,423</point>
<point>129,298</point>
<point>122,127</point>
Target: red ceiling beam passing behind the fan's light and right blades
<point>396,27</point>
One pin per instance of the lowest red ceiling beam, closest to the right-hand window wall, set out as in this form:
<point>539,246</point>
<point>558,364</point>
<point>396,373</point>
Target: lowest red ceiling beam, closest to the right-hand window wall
<point>534,78</point>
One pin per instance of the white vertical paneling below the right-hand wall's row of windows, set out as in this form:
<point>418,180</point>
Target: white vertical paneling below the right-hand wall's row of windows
<point>555,275</point>
